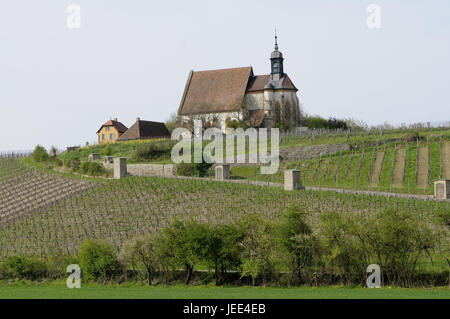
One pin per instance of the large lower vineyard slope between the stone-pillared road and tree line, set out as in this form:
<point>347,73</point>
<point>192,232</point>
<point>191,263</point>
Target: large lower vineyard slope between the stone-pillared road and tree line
<point>68,213</point>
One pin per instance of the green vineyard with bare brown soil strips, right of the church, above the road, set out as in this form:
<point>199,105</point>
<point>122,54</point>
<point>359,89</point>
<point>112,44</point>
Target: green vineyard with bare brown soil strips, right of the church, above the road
<point>409,167</point>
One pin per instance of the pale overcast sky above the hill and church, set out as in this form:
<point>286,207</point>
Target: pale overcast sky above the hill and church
<point>131,58</point>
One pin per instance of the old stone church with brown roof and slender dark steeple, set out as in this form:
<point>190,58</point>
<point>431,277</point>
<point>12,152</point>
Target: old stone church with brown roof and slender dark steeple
<point>220,97</point>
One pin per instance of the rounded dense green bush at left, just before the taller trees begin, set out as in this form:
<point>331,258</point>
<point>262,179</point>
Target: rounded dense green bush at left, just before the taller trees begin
<point>97,260</point>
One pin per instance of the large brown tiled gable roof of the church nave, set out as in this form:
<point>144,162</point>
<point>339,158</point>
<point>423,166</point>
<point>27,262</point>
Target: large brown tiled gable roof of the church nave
<point>215,91</point>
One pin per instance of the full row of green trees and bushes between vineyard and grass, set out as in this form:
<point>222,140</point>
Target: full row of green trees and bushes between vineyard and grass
<point>292,251</point>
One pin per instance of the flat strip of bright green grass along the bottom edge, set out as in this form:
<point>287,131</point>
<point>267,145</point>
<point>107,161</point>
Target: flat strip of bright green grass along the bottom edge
<point>116,292</point>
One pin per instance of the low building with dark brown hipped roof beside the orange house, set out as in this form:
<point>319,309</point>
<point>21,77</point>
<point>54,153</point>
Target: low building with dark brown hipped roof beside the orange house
<point>142,130</point>
